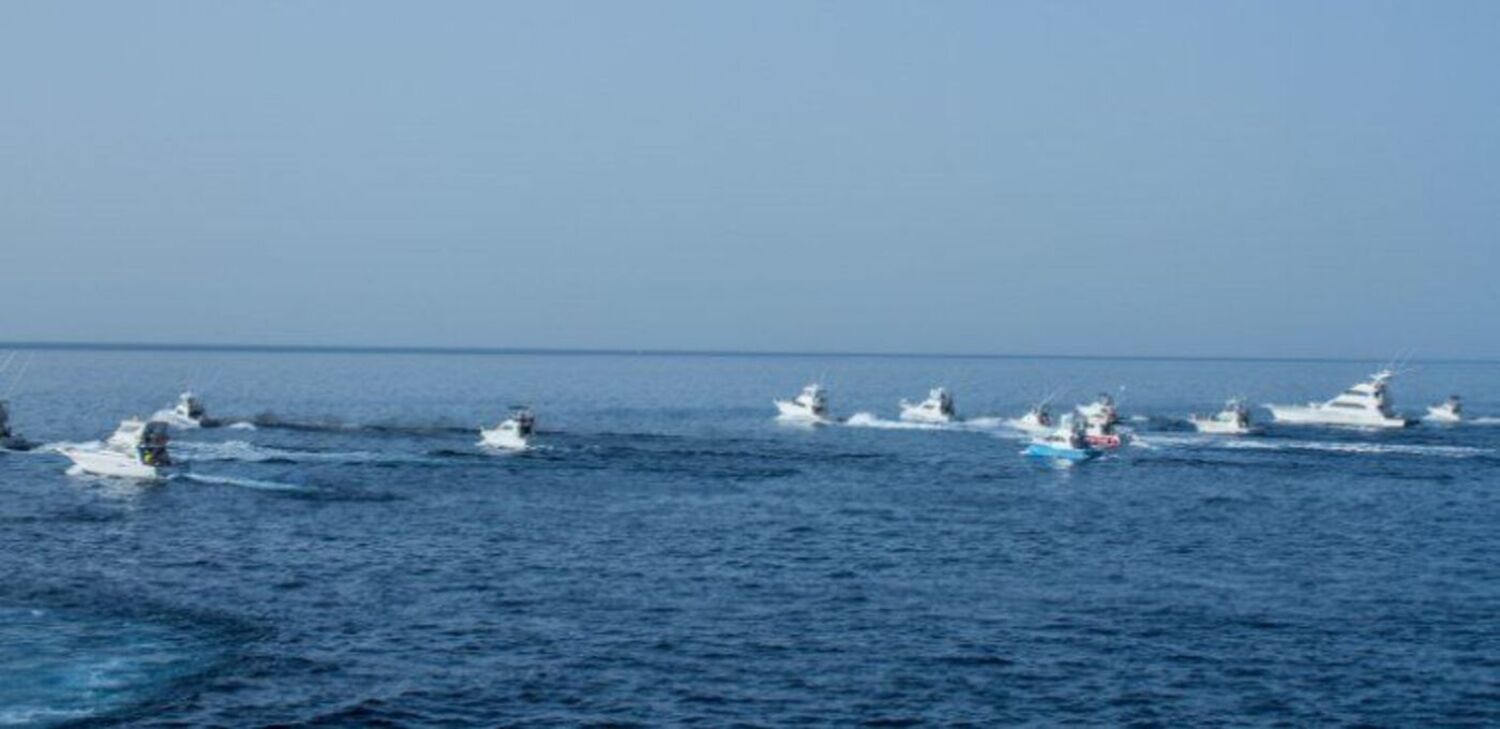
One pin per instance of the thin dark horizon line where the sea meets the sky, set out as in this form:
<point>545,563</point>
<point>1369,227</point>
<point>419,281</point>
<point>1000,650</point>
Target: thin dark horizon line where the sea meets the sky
<point>587,352</point>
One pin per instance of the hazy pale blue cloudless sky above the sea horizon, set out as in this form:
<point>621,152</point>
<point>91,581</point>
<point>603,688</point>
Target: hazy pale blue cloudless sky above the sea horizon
<point>1199,178</point>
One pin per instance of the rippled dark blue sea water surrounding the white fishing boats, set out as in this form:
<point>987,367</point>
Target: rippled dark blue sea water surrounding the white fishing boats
<point>670,554</point>
